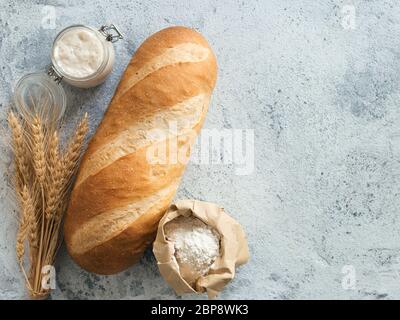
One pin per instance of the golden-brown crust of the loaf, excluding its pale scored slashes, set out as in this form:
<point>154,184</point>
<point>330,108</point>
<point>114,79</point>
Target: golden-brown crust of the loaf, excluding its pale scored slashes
<point>131,178</point>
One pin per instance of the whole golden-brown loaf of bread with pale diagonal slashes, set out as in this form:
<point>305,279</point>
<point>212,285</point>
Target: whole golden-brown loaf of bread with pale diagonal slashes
<point>133,164</point>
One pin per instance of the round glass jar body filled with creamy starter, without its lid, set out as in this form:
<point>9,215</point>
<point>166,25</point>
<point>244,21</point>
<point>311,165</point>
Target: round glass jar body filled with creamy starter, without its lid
<point>86,48</point>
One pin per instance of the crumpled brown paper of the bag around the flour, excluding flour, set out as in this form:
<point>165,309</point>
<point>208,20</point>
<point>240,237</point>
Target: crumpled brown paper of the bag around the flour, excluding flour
<point>234,249</point>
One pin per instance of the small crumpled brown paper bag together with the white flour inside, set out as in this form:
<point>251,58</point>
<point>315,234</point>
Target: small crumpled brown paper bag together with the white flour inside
<point>198,247</point>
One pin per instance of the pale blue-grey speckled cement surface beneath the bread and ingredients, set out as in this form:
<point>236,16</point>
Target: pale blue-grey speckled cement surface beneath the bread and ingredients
<point>322,204</point>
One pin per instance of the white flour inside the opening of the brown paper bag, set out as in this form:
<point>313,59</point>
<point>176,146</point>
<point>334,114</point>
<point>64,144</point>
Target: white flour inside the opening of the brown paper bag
<point>196,246</point>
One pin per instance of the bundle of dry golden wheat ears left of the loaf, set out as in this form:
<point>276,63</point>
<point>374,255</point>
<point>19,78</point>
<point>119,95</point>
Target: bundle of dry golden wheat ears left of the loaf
<point>43,177</point>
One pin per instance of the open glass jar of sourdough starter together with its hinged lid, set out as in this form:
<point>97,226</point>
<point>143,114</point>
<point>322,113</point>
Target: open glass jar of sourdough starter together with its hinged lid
<point>41,94</point>
